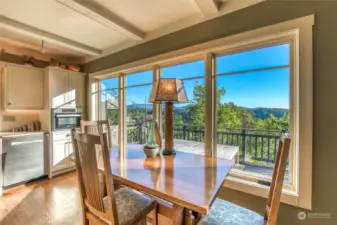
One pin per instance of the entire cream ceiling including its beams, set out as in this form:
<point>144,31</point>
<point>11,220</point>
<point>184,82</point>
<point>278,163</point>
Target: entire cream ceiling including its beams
<point>85,30</point>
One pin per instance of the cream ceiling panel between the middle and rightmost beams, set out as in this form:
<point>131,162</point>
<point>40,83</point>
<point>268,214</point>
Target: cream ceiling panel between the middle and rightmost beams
<point>149,15</point>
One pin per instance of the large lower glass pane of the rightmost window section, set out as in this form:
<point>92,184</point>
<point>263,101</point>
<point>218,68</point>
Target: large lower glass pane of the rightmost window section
<point>253,111</point>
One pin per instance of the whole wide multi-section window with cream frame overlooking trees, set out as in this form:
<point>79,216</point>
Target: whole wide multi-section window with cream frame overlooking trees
<point>256,86</point>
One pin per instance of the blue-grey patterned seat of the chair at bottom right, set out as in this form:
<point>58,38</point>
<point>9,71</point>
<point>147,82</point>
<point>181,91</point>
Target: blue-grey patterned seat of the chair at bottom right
<point>226,213</point>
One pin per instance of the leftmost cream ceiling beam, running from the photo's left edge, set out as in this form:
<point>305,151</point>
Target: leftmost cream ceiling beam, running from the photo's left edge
<point>34,32</point>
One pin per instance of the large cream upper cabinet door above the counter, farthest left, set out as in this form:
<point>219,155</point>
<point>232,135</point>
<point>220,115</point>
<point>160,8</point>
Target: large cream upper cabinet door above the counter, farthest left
<point>23,88</point>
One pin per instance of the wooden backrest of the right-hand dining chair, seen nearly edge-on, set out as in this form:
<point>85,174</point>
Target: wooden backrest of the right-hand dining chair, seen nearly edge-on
<point>274,197</point>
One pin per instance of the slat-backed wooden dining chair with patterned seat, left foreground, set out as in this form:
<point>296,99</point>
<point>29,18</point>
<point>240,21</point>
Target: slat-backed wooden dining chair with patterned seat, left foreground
<point>122,207</point>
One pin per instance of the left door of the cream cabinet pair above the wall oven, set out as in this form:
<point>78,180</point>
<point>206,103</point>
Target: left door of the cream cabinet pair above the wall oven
<point>59,88</point>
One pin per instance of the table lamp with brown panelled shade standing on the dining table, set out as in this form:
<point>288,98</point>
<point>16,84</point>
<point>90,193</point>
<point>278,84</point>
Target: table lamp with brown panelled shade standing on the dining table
<point>168,91</point>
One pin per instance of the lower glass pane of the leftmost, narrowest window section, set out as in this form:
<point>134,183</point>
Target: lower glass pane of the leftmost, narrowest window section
<point>109,110</point>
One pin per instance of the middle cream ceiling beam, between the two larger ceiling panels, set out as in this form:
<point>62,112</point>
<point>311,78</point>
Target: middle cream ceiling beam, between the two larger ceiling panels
<point>102,15</point>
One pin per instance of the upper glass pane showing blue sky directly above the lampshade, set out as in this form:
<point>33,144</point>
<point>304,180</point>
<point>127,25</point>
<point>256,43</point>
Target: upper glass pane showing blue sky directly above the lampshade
<point>187,70</point>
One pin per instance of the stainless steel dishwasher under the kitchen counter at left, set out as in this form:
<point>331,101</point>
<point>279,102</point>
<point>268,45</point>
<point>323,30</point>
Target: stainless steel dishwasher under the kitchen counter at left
<point>23,159</point>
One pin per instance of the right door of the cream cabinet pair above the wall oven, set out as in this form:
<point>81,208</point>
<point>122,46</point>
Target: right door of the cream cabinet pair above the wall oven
<point>77,88</point>
